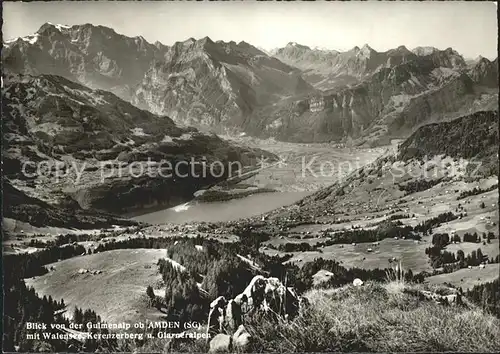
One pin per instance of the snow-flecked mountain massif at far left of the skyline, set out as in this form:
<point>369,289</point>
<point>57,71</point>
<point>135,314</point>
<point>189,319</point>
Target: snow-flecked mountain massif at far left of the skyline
<point>95,56</point>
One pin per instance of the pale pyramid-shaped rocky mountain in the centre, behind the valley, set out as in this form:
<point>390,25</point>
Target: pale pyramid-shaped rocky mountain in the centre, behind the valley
<point>216,84</point>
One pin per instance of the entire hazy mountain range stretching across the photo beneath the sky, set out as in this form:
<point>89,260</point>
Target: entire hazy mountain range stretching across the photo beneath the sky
<point>294,93</point>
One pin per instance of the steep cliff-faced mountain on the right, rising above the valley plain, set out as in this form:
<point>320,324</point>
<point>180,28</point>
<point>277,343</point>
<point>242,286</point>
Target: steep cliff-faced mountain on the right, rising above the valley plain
<point>390,103</point>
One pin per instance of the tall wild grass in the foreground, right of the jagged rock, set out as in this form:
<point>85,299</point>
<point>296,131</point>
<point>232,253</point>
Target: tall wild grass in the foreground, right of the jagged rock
<point>376,318</point>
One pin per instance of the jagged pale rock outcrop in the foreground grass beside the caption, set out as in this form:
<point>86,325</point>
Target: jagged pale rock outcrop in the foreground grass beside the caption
<point>227,317</point>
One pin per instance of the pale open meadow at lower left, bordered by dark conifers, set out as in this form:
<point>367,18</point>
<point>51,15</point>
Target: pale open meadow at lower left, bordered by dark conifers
<point>117,294</point>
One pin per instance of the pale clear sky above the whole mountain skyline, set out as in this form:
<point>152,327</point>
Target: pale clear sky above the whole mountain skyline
<point>468,27</point>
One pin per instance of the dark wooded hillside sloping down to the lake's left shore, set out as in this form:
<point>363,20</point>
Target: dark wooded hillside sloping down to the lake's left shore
<point>65,141</point>
